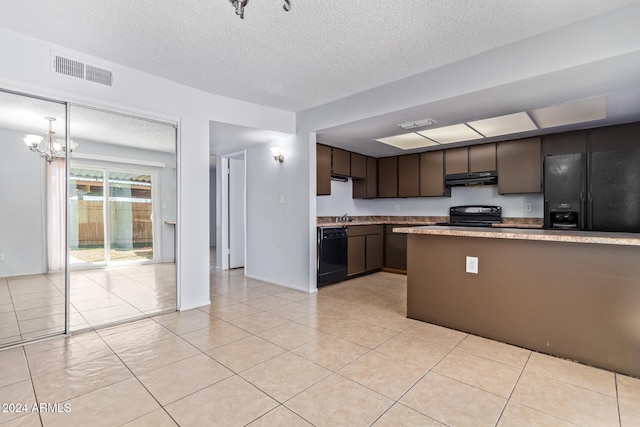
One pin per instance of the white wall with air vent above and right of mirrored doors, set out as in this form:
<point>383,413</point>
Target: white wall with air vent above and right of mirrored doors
<point>25,67</point>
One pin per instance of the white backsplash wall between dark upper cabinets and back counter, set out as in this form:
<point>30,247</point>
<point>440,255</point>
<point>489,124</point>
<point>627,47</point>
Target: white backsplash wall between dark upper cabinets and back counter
<point>340,202</point>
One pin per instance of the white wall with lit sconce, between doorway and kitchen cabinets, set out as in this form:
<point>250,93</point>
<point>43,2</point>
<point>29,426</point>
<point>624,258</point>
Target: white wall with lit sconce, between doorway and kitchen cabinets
<point>277,250</point>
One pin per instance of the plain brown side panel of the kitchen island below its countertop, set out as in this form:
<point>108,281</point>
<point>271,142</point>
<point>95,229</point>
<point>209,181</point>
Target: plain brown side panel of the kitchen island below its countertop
<point>574,300</point>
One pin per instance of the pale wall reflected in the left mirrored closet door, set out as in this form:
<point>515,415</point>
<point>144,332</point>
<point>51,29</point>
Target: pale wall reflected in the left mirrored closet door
<point>22,208</point>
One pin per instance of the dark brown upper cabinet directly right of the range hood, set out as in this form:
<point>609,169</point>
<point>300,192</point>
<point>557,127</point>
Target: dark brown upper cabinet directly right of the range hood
<point>520,166</point>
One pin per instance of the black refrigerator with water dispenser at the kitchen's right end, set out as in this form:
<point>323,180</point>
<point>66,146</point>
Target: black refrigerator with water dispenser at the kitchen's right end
<point>598,192</point>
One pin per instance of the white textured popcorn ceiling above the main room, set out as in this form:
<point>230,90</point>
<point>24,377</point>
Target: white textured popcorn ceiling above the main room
<point>318,52</point>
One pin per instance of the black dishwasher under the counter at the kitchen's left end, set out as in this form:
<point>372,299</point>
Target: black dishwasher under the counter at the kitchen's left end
<point>332,255</point>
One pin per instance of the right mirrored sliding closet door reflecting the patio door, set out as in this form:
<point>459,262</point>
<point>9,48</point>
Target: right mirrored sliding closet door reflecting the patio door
<point>122,202</point>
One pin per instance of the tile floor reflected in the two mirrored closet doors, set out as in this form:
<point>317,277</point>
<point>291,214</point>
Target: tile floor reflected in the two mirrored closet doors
<point>34,306</point>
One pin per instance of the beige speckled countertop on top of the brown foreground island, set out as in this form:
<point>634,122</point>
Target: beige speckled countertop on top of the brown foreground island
<point>624,239</point>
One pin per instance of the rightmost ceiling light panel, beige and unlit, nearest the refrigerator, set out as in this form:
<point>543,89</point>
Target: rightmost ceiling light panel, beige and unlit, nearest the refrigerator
<point>585,110</point>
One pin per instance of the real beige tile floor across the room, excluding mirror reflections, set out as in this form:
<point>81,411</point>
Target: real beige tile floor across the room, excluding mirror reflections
<point>262,355</point>
